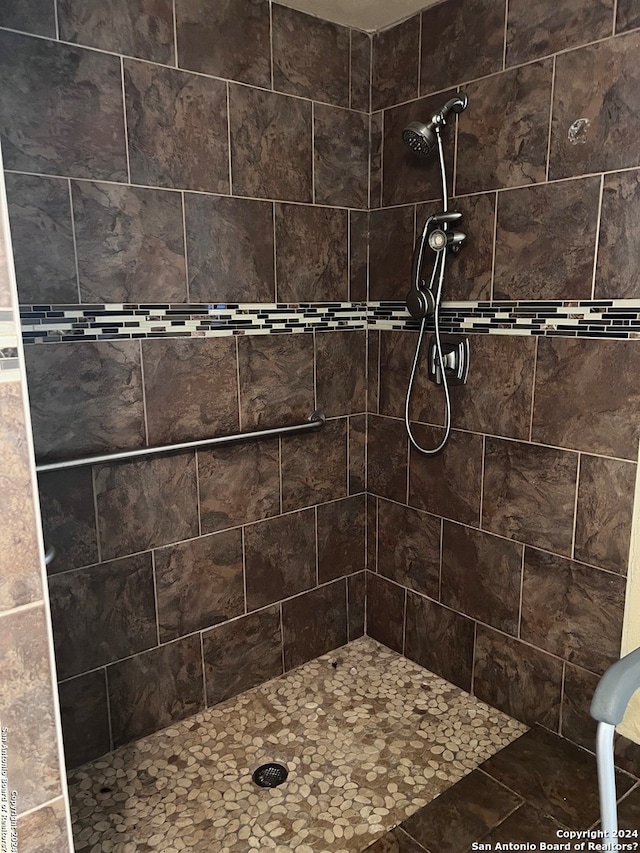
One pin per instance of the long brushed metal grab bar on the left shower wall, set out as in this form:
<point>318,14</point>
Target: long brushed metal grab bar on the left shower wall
<point>315,422</point>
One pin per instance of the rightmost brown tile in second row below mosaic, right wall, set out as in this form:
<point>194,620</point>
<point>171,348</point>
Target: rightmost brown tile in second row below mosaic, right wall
<point>605,508</point>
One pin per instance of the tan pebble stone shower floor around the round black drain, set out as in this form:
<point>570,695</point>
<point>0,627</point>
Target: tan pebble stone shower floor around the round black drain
<point>368,737</point>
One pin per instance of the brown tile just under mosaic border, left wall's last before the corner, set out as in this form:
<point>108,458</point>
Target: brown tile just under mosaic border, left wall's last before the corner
<point>341,372</point>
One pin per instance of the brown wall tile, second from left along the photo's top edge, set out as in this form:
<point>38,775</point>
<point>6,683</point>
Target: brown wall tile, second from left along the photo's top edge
<point>142,28</point>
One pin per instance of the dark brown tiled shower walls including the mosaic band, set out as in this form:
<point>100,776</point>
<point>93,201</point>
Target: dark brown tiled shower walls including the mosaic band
<point>189,180</point>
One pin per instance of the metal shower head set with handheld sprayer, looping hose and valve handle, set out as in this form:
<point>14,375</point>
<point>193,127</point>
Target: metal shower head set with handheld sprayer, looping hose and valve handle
<point>423,300</point>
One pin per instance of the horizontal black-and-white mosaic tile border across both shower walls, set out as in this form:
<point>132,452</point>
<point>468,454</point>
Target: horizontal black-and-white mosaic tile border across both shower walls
<point>606,318</point>
